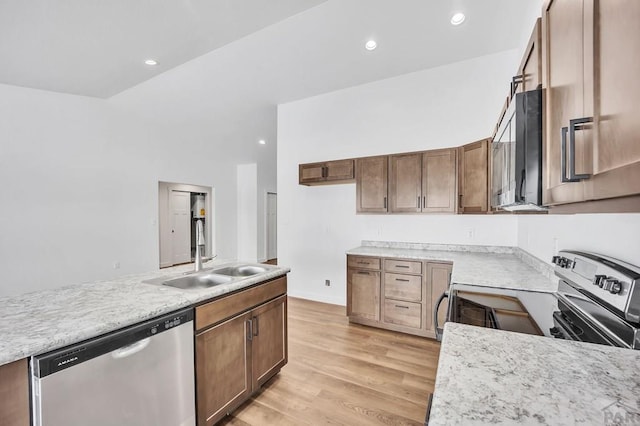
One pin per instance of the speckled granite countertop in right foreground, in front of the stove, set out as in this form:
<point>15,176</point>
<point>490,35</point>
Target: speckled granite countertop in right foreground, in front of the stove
<point>488,376</point>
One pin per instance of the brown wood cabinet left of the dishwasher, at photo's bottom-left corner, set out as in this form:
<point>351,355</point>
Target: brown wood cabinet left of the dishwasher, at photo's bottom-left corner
<point>14,394</point>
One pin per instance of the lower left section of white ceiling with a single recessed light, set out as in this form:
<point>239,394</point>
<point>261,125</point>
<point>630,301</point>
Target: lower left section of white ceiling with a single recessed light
<point>98,47</point>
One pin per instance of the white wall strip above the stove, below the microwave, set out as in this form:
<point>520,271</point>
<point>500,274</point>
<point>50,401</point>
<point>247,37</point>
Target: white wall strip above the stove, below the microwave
<point>615,235</point>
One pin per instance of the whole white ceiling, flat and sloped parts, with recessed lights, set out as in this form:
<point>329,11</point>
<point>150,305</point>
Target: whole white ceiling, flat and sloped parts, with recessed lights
<point>226,64</point>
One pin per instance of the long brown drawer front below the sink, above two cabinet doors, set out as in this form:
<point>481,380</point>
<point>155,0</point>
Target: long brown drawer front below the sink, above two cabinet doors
<point>226,307</point>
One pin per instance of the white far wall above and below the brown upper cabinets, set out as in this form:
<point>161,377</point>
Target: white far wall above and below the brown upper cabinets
<point>436,108</point>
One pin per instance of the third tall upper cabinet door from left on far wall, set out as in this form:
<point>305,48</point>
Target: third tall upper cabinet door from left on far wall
<point>439,181</point>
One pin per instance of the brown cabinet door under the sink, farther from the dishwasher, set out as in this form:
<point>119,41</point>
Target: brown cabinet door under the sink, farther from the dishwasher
<point>269,340</point>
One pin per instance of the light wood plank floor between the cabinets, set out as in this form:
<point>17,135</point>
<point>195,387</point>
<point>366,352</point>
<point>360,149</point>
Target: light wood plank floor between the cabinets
<point>344,374</point>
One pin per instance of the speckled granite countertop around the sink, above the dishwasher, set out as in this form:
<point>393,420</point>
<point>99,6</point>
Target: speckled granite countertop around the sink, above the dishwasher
<point>37,322</point>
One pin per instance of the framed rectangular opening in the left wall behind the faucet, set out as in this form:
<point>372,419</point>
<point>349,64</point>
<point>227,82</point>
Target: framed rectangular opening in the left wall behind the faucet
<point>186,222</point>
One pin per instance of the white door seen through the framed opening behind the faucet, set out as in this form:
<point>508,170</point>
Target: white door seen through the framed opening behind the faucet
<point>181,226</point>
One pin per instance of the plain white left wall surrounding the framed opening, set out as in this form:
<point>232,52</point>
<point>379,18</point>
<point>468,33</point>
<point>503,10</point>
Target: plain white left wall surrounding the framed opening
<point>80,188</point>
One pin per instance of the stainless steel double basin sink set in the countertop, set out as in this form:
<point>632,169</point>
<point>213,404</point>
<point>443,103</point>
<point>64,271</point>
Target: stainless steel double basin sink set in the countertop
<point>212,277</point>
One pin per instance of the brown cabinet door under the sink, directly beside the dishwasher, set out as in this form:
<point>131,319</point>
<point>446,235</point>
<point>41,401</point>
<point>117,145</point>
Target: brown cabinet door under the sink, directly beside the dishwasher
<point>222,368</point>
